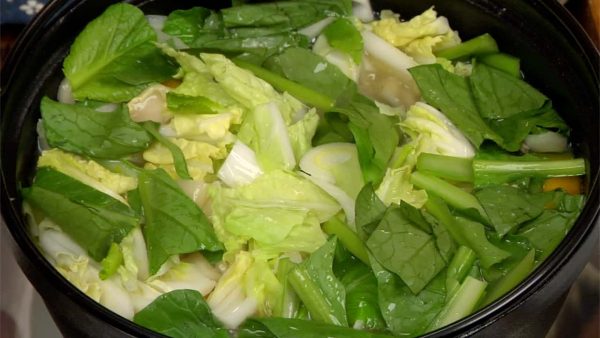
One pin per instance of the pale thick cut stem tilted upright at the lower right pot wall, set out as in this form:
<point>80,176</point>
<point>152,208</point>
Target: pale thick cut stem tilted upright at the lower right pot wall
<point>462,303</point>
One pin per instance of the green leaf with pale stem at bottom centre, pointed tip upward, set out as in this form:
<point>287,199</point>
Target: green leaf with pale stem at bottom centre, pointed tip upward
<point>318,288</point>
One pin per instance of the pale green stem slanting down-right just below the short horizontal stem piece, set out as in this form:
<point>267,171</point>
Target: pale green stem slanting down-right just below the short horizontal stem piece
<point>453,195</point>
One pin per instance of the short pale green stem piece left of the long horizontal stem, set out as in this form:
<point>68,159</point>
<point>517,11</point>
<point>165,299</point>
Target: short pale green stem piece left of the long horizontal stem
<point>449,167</point>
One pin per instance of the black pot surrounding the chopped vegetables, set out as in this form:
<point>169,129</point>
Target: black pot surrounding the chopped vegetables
<point>557,58</point>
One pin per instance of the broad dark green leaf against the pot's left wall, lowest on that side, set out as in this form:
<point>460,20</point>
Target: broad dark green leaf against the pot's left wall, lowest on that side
<point>93,219</point>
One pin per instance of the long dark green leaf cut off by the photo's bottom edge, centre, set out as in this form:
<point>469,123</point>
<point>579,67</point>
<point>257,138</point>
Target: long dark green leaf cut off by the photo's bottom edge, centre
<point>298,328</point>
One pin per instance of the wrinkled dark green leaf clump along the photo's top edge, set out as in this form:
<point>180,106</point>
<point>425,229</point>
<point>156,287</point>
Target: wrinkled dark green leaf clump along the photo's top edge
<point>250,32</point>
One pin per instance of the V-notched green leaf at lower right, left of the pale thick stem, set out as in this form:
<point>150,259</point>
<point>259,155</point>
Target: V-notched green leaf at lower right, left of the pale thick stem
<point>406,313</point>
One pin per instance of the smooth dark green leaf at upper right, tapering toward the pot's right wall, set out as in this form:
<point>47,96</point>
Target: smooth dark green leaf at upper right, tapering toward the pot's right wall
<point>499,95</point>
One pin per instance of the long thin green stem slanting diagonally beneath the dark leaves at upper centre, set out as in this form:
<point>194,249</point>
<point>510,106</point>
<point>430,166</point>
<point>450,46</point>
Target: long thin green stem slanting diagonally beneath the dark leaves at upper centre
<point>306,95</point>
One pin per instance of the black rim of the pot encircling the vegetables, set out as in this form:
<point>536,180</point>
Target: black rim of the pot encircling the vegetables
<point>477,321</point>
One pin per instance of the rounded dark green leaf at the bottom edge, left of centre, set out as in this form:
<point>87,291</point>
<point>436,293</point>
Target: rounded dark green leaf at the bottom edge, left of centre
<point>181,314</point>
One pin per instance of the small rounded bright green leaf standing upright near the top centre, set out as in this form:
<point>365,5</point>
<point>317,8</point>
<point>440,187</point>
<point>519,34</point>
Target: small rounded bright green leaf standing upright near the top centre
<point>343,35</point>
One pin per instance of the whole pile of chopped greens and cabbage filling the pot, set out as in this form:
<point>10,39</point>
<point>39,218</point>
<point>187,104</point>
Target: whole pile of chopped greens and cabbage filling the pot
<point>297,168</point>
